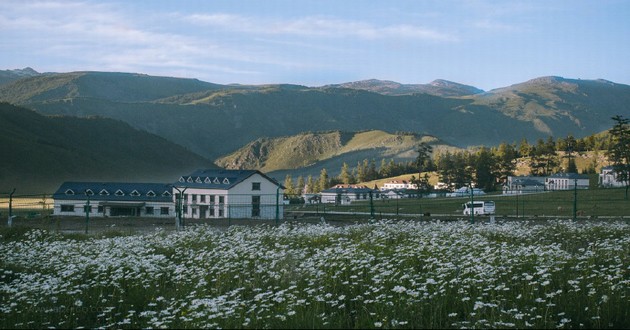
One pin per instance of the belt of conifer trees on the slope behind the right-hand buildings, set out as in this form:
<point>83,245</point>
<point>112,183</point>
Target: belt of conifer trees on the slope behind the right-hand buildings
<point>486,167</point>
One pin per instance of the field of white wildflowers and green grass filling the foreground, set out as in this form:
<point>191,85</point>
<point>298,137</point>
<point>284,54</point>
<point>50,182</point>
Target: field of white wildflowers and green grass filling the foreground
<point>385,274</point>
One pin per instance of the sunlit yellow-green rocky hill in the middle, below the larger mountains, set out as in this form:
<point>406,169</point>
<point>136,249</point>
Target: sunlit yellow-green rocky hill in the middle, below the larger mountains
<point>308,153</point>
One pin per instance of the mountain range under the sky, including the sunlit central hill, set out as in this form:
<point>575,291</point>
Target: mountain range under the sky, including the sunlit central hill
<point>246,124</point>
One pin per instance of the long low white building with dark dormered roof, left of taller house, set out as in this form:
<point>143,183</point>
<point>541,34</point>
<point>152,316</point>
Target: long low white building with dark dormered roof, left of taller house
<point>104,199</point>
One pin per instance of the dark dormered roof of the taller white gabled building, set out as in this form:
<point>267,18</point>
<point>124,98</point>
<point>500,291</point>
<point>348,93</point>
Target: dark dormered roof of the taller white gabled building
<point>218,178</point>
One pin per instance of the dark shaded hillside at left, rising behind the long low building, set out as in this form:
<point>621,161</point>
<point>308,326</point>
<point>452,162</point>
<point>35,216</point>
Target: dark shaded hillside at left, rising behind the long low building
<point>39,152</point>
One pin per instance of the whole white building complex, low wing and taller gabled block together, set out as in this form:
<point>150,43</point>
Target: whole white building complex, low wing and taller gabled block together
<point>214,193</point>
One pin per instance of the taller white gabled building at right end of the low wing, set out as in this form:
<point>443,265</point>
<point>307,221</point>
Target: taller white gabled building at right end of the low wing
<point>221,193</point>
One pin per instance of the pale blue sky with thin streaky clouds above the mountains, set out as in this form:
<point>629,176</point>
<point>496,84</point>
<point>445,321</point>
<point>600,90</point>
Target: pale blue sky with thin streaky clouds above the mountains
<point>483,43</point>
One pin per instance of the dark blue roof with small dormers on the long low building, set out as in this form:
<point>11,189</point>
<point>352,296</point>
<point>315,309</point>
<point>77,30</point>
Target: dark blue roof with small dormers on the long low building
<point>114,191</point>
